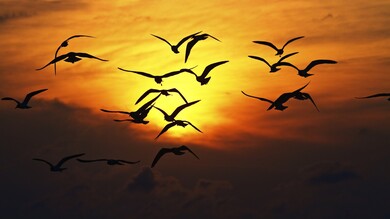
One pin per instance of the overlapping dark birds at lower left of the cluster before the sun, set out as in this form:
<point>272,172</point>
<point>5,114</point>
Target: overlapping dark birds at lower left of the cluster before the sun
<point>137,116</point>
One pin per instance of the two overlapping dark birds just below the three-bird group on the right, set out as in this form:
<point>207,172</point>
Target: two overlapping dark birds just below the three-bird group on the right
<point>278,103</point>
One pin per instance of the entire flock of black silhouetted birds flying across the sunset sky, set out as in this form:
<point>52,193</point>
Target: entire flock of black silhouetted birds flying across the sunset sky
<point>140,114</point>
